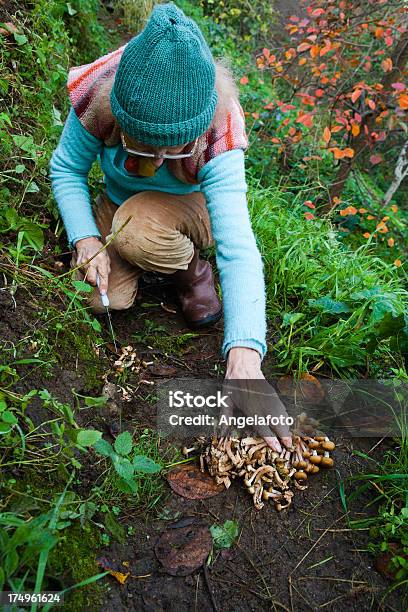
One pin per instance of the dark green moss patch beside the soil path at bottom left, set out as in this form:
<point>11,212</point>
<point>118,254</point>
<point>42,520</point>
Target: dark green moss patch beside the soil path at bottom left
<point>72,561</point>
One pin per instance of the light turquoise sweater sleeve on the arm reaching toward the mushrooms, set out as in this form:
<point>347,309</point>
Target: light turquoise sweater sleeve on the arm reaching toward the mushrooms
<point>238,259</point>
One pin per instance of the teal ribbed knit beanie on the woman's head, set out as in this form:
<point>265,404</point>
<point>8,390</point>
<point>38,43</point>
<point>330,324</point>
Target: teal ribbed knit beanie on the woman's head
<point>164,91</point>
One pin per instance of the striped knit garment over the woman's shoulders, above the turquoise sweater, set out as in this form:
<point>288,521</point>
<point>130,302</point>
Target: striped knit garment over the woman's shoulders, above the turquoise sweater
<point>89,88</point>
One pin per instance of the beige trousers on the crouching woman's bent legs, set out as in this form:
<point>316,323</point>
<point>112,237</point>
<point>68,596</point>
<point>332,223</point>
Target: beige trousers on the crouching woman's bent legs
<point>159,237</point>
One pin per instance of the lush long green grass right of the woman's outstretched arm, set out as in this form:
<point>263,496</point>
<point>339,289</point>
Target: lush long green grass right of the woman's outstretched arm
<point>330,307</point>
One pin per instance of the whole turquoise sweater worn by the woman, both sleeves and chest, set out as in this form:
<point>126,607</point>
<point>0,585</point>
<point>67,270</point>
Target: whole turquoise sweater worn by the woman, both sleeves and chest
<point>222,181</point>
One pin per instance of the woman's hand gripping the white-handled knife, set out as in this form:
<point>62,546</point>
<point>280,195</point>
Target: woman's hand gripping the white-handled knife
<point>100,264</point>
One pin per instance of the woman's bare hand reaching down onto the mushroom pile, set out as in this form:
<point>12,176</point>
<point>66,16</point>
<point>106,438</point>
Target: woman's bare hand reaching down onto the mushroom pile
<point>252,395</point>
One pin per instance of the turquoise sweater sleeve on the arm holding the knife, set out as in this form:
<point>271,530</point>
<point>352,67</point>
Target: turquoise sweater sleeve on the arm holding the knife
<point>69,169</point>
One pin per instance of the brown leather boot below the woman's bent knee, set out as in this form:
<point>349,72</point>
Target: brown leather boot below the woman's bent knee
<point>196,292</point>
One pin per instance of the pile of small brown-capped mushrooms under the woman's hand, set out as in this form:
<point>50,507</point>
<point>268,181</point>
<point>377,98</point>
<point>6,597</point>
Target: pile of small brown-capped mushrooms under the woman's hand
<point>266,473</point>
